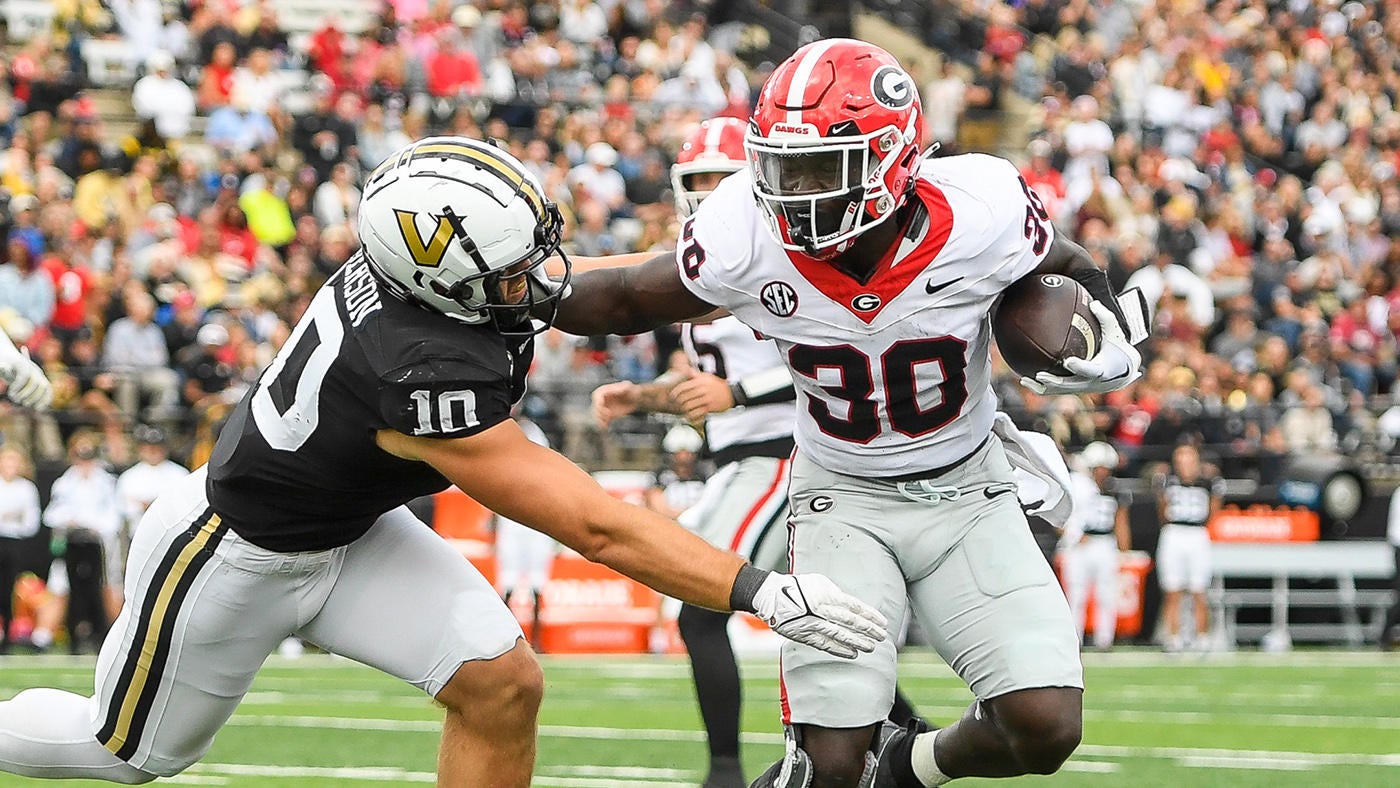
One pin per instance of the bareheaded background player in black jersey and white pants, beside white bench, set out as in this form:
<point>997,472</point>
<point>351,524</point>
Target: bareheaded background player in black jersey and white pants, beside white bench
<point>1186,500</point>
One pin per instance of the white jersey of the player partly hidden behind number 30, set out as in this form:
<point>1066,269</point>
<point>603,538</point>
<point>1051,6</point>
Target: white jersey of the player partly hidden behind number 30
<point>731,351</point>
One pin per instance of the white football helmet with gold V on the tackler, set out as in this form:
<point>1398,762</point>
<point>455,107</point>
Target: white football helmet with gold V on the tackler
<point>461,227</point>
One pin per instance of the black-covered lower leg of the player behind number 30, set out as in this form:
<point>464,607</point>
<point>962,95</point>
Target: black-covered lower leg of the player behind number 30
<point>716,674</point>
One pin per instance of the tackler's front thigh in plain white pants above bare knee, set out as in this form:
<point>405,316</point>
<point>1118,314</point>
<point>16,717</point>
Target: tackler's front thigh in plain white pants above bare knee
<point>408,604</point>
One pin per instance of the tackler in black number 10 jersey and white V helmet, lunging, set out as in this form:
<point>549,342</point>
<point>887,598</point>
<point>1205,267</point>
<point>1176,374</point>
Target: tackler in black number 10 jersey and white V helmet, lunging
<point>397,381</point>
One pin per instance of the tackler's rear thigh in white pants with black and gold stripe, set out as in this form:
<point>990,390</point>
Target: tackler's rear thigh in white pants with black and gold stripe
<point>204,610</point>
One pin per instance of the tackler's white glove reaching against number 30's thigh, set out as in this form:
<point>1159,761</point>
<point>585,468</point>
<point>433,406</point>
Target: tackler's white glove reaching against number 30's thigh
<point>811,611</point>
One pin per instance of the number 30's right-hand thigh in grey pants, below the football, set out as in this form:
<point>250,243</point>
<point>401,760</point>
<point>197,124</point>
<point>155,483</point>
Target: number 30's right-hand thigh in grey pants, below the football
<point>993,610</point>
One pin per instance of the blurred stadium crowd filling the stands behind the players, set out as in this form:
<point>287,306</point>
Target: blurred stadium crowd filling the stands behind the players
<point>1234,159</point>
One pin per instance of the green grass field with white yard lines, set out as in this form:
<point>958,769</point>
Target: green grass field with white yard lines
<point>1151,720</point>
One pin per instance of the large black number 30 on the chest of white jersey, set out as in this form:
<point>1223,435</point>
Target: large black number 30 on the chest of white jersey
<point>898,369</point>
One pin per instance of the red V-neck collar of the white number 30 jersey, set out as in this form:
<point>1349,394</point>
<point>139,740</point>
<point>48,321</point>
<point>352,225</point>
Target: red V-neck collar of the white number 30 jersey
<point>891,276</point>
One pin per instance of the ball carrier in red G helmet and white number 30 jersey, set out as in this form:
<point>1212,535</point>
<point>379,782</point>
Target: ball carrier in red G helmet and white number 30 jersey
<point>874,269</point>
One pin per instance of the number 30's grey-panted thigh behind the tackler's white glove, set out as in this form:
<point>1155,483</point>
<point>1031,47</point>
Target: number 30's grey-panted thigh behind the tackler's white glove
<point>835,533</point>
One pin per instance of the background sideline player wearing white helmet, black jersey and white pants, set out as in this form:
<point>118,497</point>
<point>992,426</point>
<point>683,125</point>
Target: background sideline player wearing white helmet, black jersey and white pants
<point>1101,535</point>
